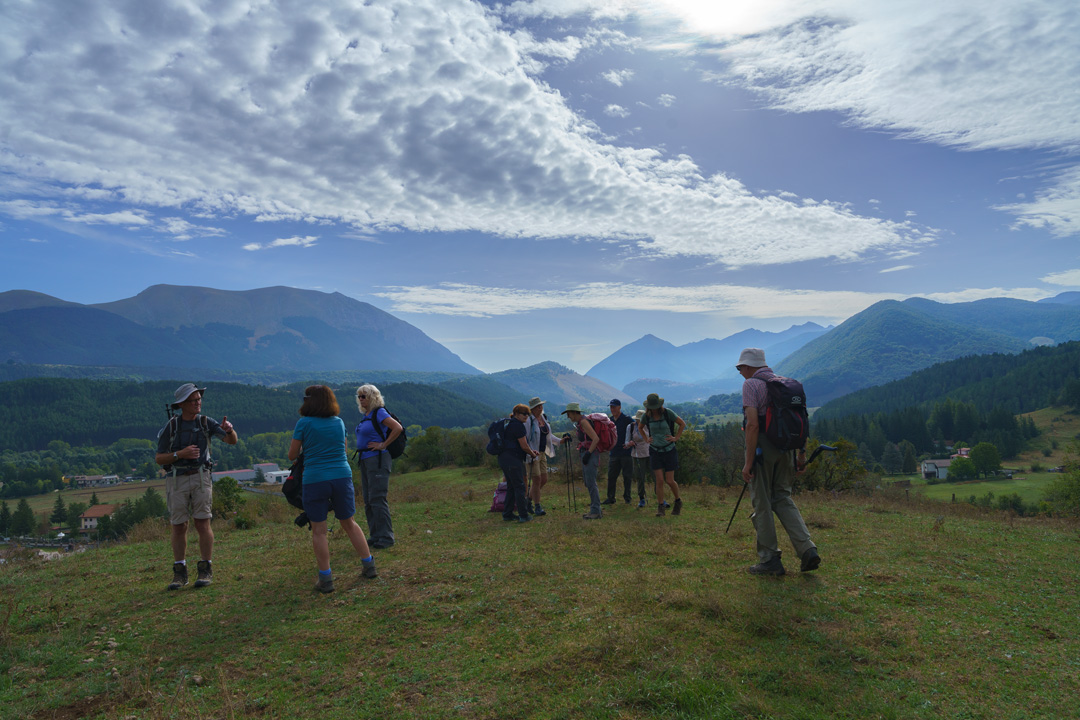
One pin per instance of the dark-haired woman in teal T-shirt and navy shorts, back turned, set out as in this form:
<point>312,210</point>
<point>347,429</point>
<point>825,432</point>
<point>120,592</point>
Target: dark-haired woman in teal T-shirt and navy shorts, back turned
<point>328,481</point>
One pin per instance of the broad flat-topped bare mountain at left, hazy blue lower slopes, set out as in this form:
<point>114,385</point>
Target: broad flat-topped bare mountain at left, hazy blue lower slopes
<point>273,329</point>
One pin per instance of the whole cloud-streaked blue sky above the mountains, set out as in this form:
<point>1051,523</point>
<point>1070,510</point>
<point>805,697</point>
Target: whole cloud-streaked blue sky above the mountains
<point>550,180</point>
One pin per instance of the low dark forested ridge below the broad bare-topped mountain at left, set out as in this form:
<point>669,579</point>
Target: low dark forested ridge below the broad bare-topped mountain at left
<point>82,413</point>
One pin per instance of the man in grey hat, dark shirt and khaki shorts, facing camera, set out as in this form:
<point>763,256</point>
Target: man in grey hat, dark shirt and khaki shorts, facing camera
<point>184,452</point>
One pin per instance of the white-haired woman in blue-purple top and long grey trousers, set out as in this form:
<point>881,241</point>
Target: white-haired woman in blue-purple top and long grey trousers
<point>375,464</point>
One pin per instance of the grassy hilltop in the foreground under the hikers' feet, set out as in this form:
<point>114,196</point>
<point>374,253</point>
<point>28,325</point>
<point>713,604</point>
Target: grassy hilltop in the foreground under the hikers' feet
<point>913,615</point>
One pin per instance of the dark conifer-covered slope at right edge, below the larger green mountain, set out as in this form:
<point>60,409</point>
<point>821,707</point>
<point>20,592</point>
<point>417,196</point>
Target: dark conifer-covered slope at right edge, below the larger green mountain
<point>1017,384</point>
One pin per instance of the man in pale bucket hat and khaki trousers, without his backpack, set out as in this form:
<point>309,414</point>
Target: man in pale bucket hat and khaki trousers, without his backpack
<point>771,474</point>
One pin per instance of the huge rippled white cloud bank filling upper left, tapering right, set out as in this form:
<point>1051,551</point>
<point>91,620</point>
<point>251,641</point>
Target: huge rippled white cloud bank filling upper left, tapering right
<point>417,115</point>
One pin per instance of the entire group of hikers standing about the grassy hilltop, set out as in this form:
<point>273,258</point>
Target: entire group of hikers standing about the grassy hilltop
<point>645,442</point>
